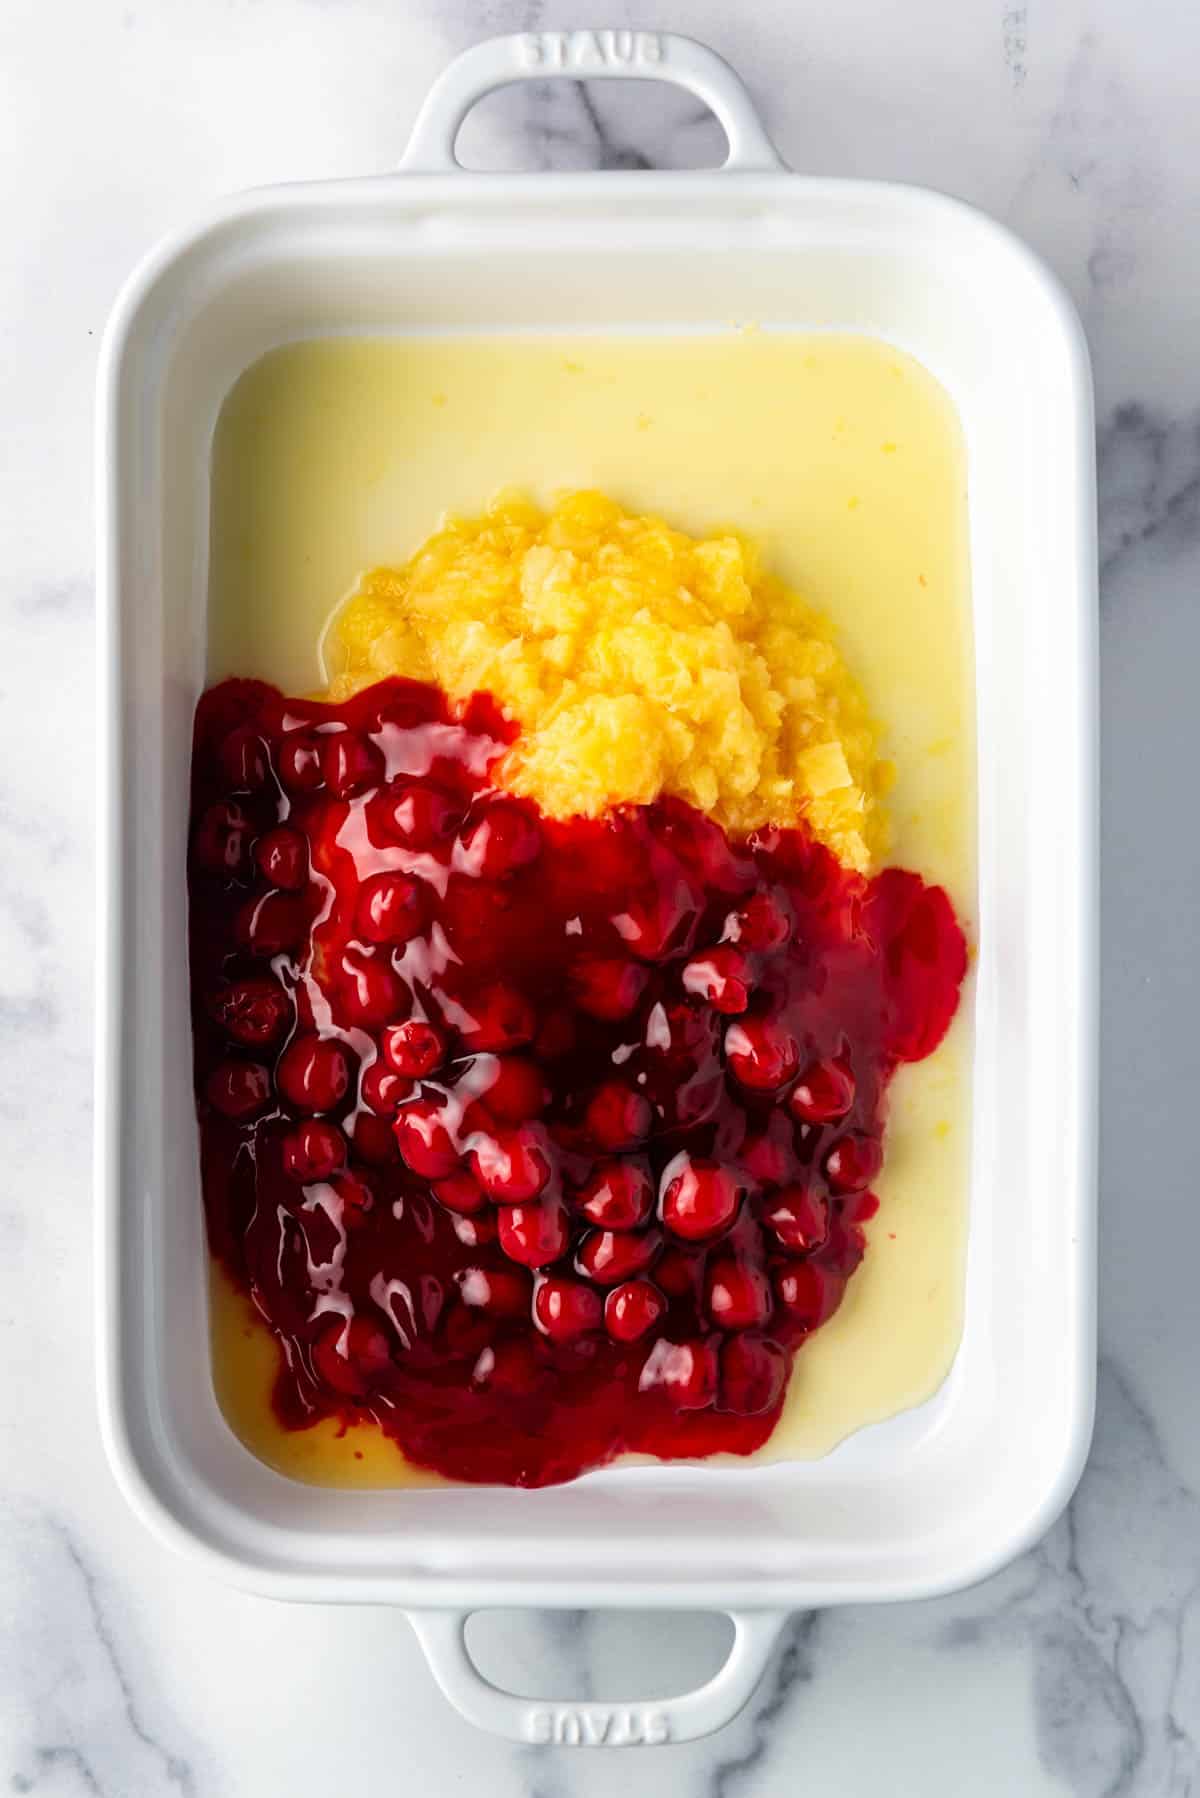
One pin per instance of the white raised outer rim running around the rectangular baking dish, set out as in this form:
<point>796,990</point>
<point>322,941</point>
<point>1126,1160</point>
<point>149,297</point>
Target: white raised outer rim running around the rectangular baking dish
<point>542,191</point>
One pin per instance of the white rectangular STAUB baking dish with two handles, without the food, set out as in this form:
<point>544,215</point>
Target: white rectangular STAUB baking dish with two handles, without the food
<point>931,1500</point>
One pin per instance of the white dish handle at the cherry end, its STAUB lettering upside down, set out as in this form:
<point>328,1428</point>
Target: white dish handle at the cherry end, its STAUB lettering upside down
<point>580,1723</point>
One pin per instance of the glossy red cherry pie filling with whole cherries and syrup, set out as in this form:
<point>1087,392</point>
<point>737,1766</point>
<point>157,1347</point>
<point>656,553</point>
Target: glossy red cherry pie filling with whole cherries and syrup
<point>533,1141</point>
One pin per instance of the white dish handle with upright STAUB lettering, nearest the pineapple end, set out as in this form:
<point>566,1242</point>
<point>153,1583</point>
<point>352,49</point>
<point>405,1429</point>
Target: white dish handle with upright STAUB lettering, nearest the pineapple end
<point>587,57</point>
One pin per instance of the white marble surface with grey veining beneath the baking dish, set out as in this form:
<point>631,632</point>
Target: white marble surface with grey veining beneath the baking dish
<point>123,1671</point>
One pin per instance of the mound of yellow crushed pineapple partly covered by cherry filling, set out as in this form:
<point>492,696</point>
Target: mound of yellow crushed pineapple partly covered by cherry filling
<point>638,661</point>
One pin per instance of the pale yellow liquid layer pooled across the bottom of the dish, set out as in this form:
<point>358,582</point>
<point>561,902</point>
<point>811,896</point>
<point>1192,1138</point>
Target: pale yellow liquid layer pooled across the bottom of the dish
<point>843,458</point>
